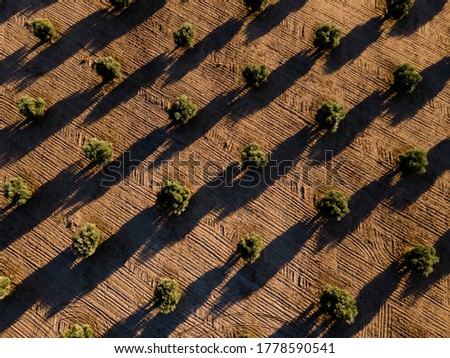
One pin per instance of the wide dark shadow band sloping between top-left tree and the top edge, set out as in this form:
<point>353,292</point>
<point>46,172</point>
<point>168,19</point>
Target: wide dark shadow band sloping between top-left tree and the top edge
<point>94,32</point>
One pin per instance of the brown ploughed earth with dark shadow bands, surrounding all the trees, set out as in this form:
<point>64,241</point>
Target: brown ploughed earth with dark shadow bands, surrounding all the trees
<point>223,297</point>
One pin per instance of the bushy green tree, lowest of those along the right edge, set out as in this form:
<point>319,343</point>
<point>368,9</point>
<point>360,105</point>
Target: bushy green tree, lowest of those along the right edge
<point>420,259</point>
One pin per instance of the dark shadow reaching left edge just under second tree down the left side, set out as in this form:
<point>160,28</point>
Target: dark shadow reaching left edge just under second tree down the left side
<point>20,139</point>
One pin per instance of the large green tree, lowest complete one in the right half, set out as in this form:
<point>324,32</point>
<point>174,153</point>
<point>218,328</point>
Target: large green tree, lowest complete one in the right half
<point>338,304</point>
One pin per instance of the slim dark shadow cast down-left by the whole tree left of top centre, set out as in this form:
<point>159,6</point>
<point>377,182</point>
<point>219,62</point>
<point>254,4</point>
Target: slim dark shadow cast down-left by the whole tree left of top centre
<point>128,88</point>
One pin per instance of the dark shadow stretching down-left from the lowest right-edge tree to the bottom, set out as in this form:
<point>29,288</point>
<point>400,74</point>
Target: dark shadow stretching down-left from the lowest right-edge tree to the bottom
<point>370,300</point>
